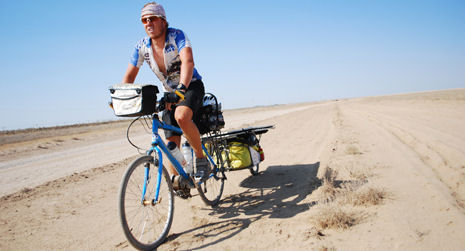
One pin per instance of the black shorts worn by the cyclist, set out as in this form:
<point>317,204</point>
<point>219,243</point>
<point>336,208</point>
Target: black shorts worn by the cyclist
<point>193,99</point>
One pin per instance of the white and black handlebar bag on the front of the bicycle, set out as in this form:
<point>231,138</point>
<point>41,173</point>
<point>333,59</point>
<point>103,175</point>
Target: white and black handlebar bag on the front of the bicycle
<point>133,100</point>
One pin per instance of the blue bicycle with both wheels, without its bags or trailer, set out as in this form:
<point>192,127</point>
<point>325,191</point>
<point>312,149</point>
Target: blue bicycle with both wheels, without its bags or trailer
<point>146,196</point>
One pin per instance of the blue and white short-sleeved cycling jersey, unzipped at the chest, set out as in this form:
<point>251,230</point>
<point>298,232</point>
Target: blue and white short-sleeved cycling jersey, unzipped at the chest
<point>176,40</point>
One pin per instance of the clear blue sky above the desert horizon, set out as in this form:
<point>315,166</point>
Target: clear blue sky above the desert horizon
<point>58,58</point>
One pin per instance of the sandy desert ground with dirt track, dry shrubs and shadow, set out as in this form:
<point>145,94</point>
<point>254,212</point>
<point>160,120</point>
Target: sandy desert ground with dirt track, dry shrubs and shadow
<point>400,164</point>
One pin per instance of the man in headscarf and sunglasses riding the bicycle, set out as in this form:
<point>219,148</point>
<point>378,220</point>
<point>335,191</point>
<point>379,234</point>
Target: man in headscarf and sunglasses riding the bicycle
<point>168,52</point>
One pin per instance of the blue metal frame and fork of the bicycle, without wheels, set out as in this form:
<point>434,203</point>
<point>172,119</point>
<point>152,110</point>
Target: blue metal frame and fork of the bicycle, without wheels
<point>159,146</point>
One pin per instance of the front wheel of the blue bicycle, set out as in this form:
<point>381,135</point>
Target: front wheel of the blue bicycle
<point>146,220</point>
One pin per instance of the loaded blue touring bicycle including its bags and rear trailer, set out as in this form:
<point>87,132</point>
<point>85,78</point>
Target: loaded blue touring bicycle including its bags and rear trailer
<point>146,195</point>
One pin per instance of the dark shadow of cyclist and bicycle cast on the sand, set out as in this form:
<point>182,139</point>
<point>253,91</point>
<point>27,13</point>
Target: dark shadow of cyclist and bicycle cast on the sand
<point>276,192</point>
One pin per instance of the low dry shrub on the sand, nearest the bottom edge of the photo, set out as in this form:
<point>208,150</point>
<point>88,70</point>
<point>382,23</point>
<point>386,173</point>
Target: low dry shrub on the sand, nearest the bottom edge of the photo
<point>332,216</point>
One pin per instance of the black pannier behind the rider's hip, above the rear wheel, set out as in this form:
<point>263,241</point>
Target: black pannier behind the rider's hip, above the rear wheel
<point>209,117</point>
